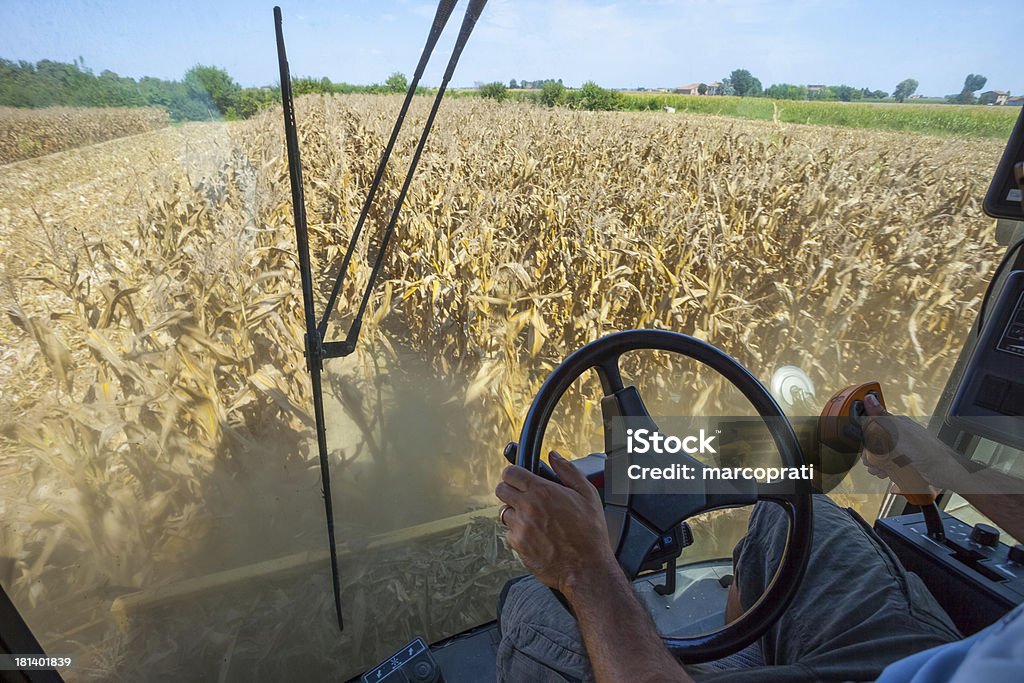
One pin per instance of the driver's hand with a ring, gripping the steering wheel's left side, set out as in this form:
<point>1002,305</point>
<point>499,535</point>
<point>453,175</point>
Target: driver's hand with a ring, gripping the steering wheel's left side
<point>559,531</point>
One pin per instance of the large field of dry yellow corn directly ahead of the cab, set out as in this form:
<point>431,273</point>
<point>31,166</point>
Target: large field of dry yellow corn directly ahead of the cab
<point>155,397</point>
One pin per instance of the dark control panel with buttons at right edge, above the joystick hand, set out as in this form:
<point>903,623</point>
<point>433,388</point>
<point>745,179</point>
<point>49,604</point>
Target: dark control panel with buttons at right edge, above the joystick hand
<point>990,401</point>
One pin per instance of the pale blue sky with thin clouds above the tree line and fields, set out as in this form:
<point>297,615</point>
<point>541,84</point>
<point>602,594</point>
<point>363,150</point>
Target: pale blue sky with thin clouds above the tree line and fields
<point>650,44</point>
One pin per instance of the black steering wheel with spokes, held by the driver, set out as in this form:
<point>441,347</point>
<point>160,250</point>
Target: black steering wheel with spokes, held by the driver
<point>637,522</point>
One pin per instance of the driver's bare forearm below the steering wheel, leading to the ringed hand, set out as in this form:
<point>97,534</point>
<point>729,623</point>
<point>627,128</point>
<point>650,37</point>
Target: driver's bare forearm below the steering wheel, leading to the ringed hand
<point>619,634</point>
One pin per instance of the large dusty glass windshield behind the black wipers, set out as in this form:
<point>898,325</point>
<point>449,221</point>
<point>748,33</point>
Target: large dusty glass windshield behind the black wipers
<point>160,494</point>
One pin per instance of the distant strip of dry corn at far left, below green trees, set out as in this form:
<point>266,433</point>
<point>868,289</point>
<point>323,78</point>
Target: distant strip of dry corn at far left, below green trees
<point>28,134</point>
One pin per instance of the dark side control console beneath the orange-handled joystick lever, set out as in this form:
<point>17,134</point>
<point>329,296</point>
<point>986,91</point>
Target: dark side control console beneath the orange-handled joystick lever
<point>974,576</point>
